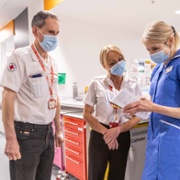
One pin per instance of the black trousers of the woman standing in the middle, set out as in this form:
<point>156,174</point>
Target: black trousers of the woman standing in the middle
<point>100,155</point>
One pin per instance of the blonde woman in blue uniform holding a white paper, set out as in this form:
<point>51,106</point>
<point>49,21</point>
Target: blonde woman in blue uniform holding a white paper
<point>163,147</point>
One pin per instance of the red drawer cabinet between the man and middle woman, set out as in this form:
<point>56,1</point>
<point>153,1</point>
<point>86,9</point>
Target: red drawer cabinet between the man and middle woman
<point>75,146</point>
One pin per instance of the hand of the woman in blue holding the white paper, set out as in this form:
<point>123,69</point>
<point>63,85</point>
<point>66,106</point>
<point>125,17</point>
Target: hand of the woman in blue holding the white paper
<point>143,104</point>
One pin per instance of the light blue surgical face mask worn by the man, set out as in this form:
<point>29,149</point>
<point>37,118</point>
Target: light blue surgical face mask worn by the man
<point>49,42</point>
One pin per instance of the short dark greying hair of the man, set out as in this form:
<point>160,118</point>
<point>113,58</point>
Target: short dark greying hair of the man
<point>39,19</point>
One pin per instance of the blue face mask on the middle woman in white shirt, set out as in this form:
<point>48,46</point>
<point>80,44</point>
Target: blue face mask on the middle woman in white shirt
<point>119,68</point>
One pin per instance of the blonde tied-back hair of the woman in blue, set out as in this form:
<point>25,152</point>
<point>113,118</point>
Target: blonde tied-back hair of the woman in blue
<point>159,31</point>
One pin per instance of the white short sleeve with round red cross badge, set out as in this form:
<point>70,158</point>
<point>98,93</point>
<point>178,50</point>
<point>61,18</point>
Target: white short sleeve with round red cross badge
<point>14,73</point>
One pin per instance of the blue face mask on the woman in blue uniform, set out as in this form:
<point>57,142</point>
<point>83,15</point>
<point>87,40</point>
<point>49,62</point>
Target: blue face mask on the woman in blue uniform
<point>160,57</point>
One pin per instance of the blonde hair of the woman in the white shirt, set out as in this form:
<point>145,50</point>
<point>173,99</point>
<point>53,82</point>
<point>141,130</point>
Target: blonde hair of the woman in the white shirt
<point>105,50</point>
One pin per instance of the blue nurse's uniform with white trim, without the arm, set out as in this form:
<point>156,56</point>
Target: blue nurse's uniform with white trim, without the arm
<point>163,147</point>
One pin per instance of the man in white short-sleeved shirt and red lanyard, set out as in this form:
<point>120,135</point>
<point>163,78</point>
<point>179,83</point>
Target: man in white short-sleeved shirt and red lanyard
<point>30,103</point>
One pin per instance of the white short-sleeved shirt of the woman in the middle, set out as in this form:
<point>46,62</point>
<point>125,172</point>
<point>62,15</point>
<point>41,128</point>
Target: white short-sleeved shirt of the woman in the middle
<point>99,95</point>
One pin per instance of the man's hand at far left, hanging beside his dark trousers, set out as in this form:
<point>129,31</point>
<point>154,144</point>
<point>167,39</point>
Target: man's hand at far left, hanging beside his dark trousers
<point>12,149</point>
